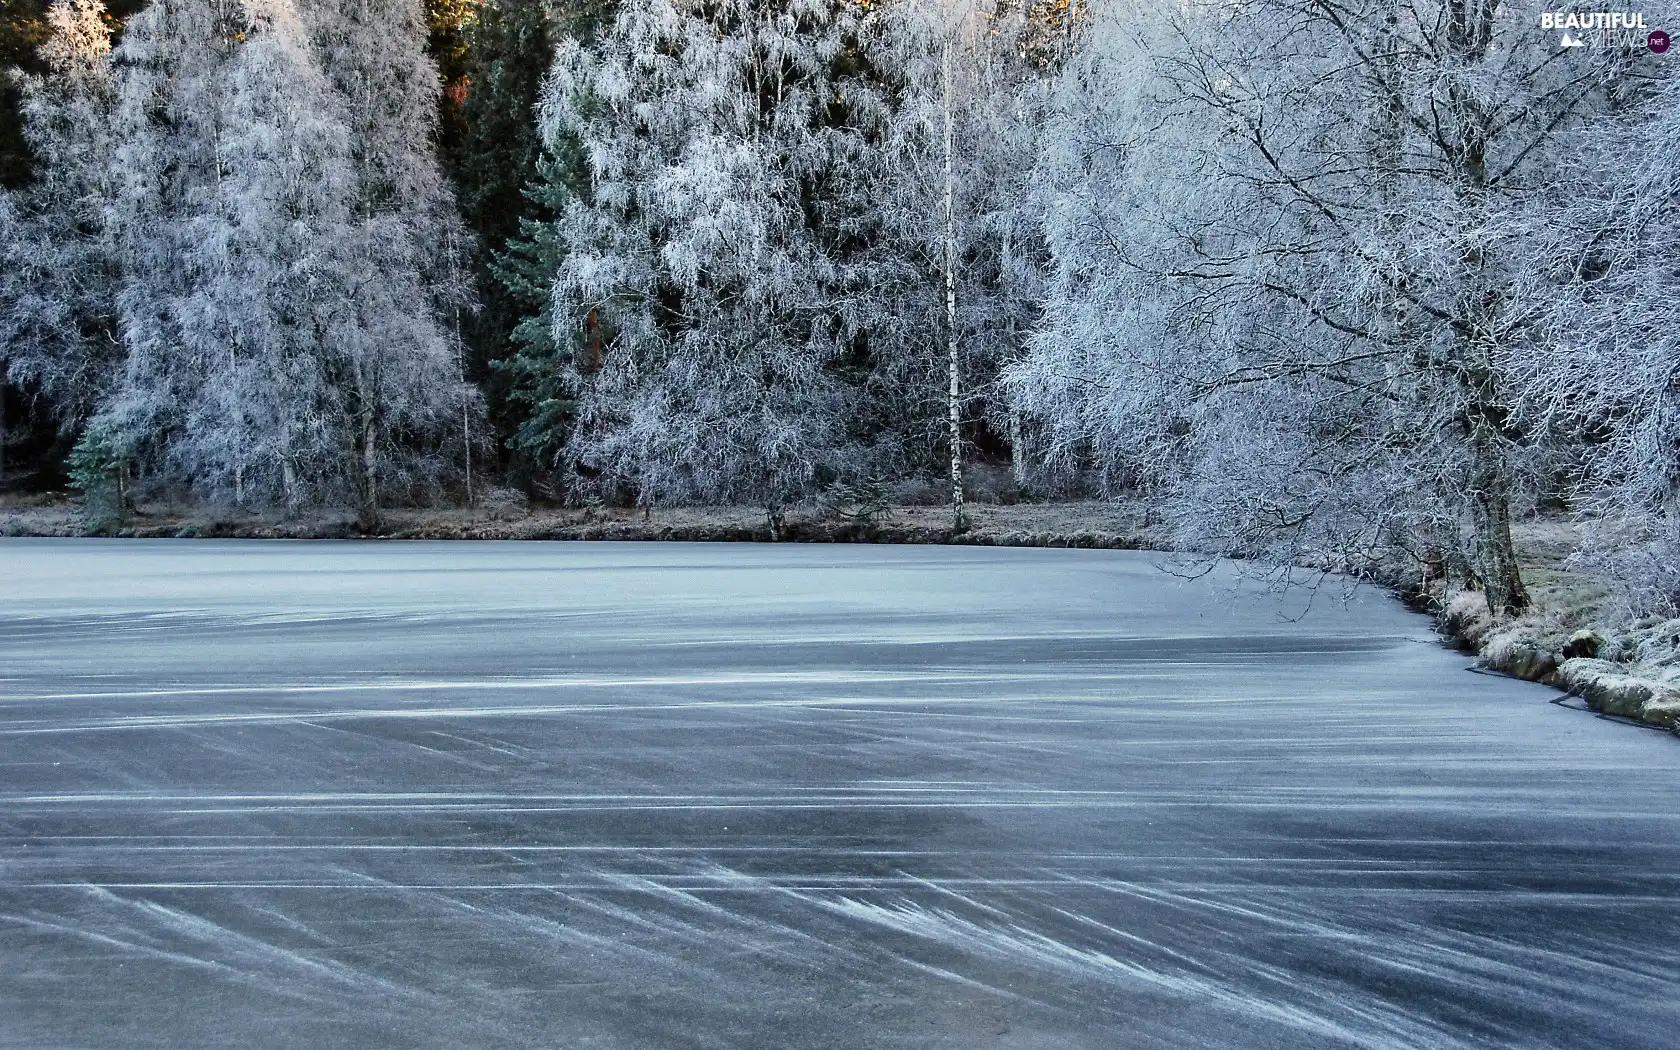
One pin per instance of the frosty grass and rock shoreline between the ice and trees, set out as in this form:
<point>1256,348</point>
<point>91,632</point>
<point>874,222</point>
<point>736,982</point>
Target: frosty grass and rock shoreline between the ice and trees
<point>1548,646</point>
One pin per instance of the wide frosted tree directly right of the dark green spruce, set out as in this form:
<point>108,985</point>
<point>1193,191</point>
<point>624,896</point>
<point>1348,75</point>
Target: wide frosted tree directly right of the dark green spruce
<point>706,281</point>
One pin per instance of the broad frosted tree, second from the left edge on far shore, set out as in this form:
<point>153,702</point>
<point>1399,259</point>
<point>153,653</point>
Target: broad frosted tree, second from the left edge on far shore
<point>236,192</point>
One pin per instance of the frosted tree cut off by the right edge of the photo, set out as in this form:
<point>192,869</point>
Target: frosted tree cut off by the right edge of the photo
<point>1607,374</point>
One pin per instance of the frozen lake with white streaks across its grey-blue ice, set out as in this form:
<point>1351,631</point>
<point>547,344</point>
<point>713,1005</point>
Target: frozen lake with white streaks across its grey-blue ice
<point>795,797</point>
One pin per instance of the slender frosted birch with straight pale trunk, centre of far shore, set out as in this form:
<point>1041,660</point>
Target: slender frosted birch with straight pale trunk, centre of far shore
<point>958,216</point>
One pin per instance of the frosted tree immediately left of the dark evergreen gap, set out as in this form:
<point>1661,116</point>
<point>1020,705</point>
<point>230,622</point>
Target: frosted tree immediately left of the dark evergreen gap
<point>401,365</point>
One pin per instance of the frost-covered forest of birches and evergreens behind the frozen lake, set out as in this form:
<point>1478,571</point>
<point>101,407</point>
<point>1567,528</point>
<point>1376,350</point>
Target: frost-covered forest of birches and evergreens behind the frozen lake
<point>1326,283</point>
